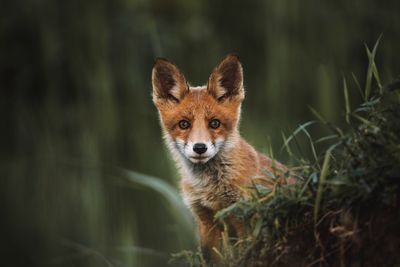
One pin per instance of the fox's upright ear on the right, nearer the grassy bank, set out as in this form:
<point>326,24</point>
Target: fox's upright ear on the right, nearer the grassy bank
<point>226,81</point>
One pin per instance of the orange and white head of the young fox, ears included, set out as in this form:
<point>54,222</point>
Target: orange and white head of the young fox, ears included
<point>199,122</point>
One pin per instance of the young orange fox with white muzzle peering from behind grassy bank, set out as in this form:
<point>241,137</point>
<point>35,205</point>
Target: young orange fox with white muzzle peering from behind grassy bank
<point>200,126</point>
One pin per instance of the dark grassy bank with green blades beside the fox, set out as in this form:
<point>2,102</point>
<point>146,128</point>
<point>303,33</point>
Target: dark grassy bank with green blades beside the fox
<point>344,211</point>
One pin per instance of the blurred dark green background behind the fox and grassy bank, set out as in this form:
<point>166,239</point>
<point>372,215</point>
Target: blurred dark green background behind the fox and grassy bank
<point>77,115</point>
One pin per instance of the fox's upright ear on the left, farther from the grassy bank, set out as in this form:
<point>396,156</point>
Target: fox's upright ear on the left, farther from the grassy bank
<point>169,84</point>
